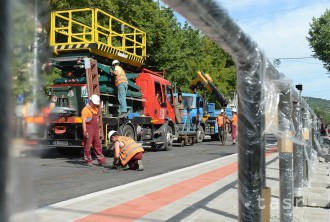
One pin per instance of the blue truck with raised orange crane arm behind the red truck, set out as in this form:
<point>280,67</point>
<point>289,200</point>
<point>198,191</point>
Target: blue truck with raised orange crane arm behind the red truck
<point>198,117</point>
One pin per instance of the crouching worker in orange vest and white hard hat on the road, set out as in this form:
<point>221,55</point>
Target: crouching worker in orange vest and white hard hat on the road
<point>128,154</point>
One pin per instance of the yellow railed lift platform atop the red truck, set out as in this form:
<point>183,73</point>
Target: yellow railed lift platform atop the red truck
<point>95,31</point>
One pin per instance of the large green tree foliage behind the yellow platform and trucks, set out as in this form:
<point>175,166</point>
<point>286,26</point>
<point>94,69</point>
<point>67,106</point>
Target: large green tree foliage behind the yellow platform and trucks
<point>178,48</point>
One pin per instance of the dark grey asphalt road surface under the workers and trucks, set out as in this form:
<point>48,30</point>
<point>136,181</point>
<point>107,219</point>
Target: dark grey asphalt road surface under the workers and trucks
<point>41,180</point>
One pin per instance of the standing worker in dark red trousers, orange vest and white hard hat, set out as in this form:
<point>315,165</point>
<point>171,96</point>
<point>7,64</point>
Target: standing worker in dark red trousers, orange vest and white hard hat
<point>90,125</point>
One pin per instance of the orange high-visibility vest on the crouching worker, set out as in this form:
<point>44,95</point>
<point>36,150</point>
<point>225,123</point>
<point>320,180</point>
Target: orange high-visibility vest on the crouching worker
<point>129,149</point>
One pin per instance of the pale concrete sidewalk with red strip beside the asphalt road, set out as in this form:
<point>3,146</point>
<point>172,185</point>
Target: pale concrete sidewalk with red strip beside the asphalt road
<point>204,192</point>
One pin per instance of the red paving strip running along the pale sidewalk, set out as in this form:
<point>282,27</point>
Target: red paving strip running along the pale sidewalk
<point>148,203</point>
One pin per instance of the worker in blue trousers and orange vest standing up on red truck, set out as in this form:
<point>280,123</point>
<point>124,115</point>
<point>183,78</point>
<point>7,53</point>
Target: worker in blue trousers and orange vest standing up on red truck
<point>122,84</point>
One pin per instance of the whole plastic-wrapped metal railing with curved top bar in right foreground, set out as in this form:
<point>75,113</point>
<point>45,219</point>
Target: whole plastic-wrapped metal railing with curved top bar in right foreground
<point>258,83</point>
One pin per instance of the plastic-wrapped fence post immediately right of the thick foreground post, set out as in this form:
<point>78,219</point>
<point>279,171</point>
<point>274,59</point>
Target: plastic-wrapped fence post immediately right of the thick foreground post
<point>285,146</point>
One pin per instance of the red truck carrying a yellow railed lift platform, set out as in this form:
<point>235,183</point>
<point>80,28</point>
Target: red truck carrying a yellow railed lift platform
<point>85,41</point>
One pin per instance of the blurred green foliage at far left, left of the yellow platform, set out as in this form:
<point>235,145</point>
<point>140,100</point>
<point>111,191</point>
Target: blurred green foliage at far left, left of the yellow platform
<point>23,35</point>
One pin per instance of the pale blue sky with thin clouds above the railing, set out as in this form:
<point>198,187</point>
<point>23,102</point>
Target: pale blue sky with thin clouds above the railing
<point>280,29</point>
